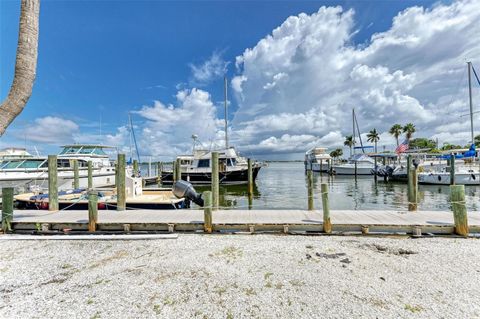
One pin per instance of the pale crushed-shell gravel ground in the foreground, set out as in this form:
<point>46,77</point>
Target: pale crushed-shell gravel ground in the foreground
<point>240,276</point>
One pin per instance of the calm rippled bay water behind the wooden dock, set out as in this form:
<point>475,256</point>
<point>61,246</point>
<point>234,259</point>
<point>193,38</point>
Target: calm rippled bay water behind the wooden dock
<point>284,186</point>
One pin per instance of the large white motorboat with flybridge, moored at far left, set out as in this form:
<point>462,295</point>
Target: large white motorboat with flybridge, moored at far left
<point>32,172</point>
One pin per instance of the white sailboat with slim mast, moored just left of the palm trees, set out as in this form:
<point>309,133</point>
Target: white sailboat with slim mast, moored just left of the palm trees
<point>361,163</point>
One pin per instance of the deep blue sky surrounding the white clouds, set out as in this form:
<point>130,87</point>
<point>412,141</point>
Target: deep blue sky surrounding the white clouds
<point>103,59</point>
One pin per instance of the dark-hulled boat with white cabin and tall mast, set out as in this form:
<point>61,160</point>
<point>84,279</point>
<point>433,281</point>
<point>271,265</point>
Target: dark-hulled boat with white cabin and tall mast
<point>196,168</point>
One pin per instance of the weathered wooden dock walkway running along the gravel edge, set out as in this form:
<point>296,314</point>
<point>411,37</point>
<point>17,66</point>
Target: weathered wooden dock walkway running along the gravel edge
<point>288,221</point>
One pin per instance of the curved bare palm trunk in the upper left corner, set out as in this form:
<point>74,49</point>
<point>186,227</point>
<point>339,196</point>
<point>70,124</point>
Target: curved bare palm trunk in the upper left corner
<point>25,64</point>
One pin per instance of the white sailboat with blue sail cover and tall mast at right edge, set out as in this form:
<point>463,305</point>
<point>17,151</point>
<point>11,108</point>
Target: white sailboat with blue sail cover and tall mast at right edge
<point>465,174</point>
